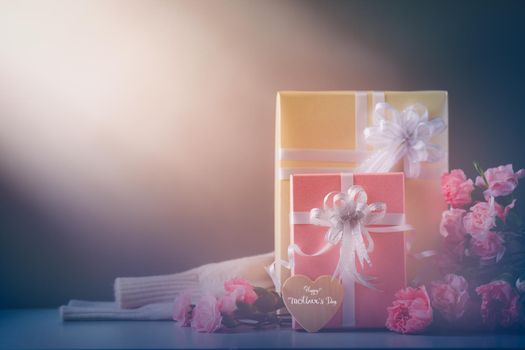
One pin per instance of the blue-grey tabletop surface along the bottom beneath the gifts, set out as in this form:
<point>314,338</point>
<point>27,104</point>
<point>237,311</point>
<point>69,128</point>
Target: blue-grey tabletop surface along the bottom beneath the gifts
<point>43,329</point>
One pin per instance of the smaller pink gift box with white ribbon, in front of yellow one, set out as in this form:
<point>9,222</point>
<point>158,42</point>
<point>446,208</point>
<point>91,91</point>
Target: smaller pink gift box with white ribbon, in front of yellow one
<point>362,307</point>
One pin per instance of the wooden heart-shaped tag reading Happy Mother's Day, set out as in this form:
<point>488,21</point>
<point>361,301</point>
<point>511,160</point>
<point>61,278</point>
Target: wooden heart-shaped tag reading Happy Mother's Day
<point>312,303</point>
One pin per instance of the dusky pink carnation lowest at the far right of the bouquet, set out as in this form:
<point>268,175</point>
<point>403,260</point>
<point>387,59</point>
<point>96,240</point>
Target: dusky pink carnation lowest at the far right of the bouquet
<point>499,304</point>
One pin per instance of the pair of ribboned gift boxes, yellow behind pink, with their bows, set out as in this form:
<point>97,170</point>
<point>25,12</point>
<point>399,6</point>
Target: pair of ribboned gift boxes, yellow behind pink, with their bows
<point>357,191</point>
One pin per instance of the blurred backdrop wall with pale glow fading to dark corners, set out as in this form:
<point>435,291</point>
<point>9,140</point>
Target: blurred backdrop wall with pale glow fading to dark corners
<point>137,137</point>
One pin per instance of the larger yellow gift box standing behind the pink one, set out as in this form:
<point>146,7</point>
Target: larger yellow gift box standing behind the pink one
<point>323,132</point>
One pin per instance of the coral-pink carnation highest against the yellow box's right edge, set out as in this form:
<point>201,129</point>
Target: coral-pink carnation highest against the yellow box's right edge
<point>456,188</point>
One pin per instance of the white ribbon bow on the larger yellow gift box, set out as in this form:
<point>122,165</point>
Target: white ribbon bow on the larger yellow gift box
<point>402,135</point>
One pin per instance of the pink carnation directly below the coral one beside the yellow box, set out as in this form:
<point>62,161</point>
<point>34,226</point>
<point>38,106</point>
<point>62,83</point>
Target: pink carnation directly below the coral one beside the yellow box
<point>452,228</point>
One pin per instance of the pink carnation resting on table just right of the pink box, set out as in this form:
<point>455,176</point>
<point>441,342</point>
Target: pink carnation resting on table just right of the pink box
<point>410,312</point>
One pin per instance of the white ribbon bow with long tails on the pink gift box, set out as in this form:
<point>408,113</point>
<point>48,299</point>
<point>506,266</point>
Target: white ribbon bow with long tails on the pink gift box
<point>347,215</point>
